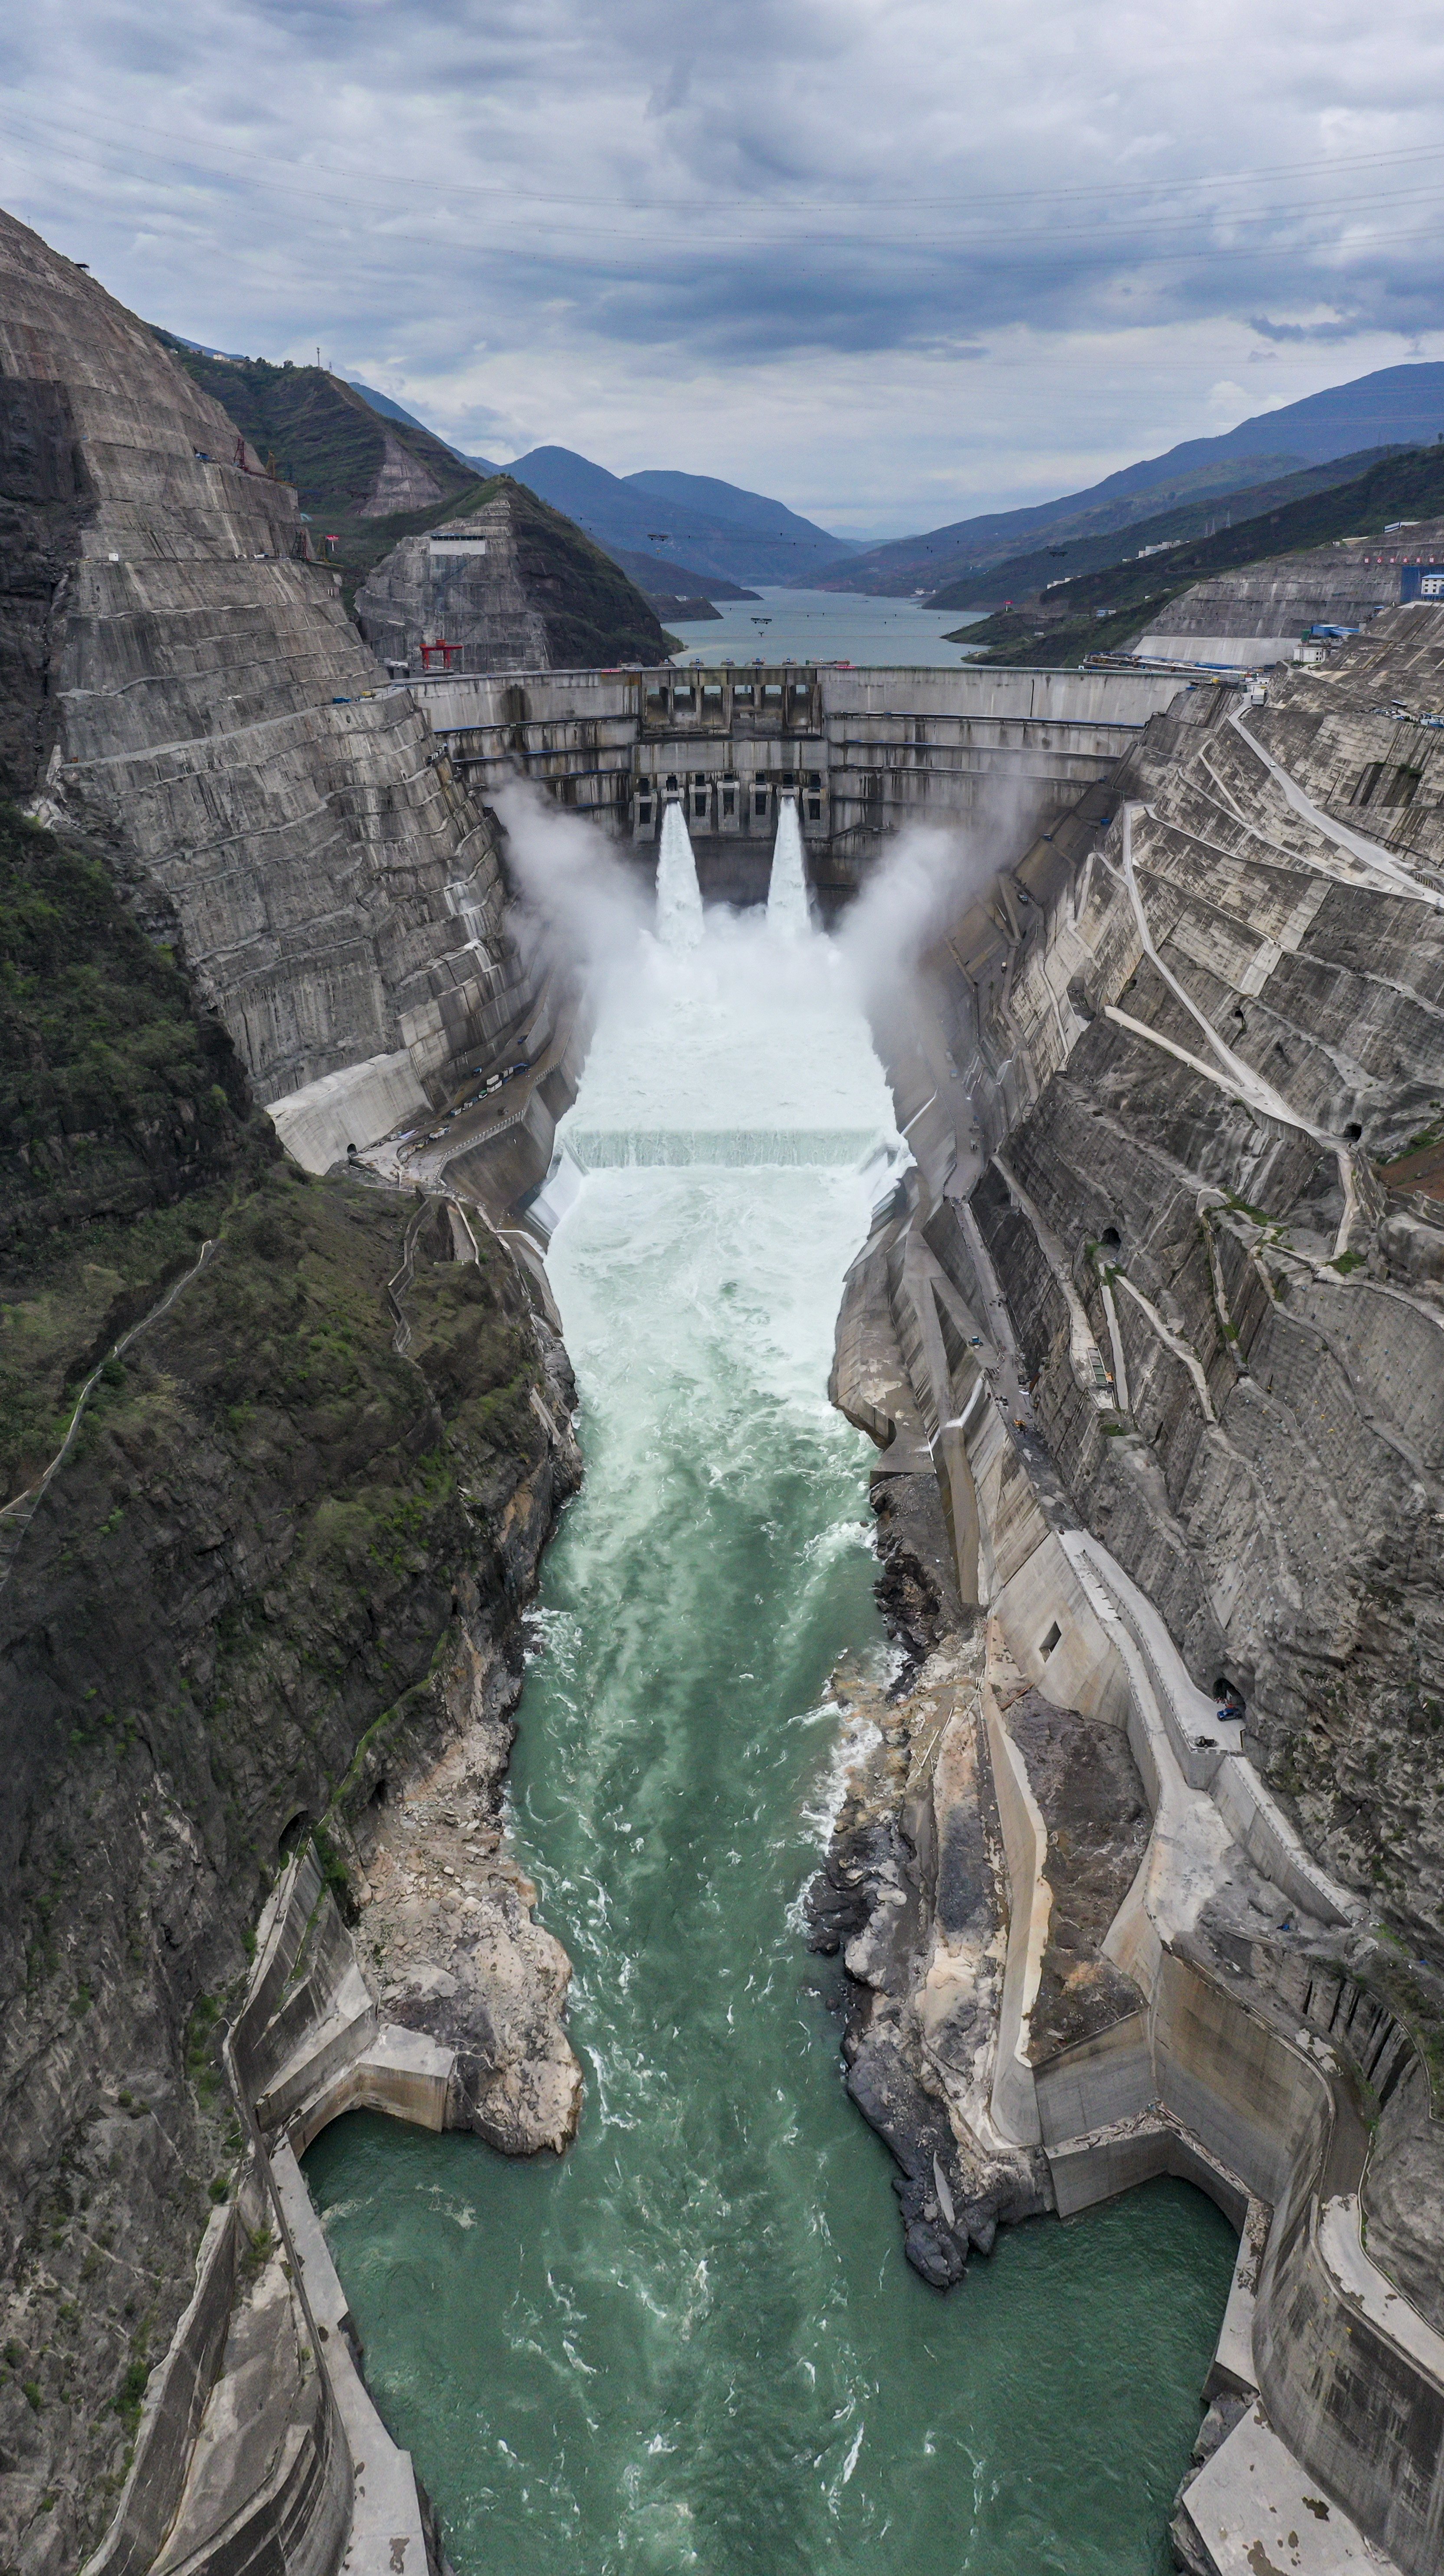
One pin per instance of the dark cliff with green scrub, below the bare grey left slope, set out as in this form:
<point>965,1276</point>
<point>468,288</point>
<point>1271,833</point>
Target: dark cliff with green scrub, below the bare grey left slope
<point>275,1588</point>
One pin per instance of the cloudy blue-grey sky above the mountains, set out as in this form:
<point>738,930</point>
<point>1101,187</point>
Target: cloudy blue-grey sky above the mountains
<point>888,259</point>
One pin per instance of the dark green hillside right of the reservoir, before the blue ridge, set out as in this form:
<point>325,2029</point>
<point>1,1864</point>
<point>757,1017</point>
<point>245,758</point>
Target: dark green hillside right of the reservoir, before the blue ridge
<point>1105,612</point>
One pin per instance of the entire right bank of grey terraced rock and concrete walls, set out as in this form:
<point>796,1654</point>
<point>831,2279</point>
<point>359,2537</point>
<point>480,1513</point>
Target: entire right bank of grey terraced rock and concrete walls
<point>1172,1351</point>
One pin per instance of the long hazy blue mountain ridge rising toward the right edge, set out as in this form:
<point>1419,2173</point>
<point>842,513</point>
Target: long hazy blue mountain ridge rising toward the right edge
<point>1394,408</point>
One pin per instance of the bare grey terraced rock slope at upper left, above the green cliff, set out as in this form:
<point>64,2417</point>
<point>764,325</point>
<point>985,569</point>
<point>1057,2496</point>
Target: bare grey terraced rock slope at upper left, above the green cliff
<point>182,681</point>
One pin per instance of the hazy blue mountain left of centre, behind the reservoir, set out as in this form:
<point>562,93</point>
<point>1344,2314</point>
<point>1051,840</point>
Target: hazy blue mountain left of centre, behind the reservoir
<point>718,527</point>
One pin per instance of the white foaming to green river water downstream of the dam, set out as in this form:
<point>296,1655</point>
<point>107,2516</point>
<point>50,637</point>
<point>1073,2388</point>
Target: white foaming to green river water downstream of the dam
<point>692,2345</point>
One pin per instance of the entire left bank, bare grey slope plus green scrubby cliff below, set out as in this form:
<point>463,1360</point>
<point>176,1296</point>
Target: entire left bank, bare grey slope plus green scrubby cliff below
<point>280,1459</point>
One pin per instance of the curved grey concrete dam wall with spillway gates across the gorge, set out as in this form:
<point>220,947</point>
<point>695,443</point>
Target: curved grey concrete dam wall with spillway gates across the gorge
<point>863,753</point>
